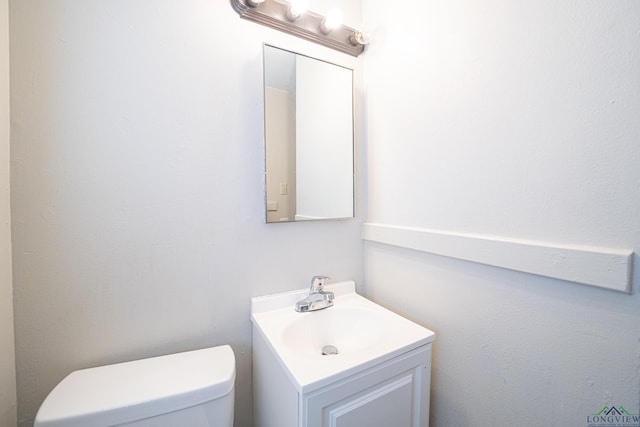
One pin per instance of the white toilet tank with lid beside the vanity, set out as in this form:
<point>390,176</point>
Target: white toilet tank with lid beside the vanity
<point>194,388</point>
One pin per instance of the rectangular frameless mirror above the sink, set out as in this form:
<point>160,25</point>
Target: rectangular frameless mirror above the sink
<point>309,163</point>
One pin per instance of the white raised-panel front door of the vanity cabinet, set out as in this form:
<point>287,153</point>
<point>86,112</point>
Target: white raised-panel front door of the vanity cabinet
<point>394,393</point>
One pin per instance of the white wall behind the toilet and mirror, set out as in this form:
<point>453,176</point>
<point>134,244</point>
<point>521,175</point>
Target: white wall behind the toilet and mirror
<point>138,205</point>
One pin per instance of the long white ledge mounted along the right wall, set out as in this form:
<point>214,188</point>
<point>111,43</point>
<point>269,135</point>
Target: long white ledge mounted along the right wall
<point>608,268</point>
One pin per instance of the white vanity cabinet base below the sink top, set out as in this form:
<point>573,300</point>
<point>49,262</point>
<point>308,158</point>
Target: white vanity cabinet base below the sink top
<point>391,393</point>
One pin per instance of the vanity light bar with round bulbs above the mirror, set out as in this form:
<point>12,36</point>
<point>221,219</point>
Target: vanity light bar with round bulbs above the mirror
<point>288,17</point>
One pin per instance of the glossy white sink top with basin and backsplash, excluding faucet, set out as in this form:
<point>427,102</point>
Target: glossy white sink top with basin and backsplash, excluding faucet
<point>363,332</point>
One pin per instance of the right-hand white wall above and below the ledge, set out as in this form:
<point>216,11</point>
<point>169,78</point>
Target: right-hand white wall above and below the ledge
<point>516,120</point>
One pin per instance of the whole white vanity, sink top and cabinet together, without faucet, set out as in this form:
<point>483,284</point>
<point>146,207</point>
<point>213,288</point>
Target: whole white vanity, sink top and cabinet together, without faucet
<point>380,376</point>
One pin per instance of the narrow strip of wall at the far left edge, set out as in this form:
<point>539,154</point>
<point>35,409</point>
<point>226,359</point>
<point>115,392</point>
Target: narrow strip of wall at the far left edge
<point>7,360</point>
